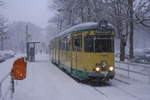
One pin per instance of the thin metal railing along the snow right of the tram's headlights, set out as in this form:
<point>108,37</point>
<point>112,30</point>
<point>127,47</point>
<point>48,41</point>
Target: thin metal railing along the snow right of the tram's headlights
<point>129,67</point>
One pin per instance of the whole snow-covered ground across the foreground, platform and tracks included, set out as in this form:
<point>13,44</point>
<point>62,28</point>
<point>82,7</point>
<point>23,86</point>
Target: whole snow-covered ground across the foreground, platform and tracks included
<point>46,82</point>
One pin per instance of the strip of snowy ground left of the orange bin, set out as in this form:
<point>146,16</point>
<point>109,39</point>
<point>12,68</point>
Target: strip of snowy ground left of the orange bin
<point>5,80</point>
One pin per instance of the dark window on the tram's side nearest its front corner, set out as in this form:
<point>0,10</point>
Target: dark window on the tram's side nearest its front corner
<point>77,43</point>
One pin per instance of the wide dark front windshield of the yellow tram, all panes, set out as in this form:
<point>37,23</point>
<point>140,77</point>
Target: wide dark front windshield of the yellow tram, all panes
<point>99,44</point>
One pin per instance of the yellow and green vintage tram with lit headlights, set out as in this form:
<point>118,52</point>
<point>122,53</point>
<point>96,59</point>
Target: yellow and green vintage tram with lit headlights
<point>85,51</point>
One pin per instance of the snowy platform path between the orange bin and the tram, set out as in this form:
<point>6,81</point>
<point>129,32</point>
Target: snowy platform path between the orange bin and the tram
<point>46,82</point>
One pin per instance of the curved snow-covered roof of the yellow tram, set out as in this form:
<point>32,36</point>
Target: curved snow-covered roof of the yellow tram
<point>83,27</point>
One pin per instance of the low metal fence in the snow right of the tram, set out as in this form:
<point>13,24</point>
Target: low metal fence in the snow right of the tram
<point>134,70</point>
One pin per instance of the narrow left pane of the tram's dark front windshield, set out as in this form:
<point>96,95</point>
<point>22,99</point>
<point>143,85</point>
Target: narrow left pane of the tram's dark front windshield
<point>89,44</point>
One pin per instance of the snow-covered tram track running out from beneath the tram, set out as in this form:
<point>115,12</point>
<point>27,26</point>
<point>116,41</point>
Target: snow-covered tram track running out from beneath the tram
<point>111,88</point>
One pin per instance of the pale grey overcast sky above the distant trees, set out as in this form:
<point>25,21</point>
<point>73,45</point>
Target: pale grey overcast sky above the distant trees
<point>35,11</point>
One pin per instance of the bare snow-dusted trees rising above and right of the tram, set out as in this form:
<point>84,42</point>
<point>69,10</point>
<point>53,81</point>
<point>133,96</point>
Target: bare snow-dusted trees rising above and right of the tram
<point>123,14</point>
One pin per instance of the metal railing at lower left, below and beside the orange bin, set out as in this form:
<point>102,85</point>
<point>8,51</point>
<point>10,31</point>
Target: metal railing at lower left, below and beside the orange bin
<point>6,84</point>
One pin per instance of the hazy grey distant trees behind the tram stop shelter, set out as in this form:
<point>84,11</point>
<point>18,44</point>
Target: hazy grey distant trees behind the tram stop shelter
<point>17,35</point>
